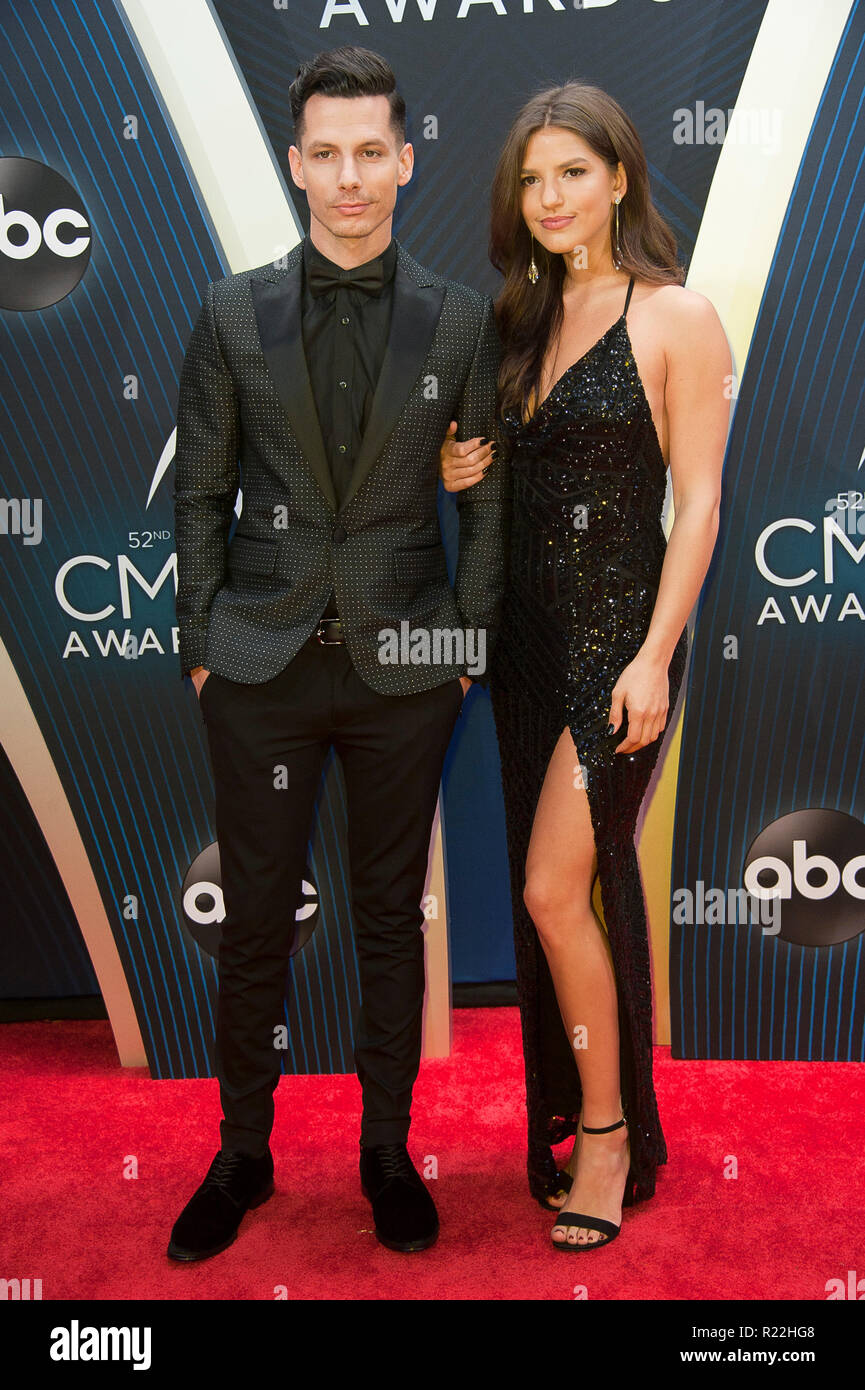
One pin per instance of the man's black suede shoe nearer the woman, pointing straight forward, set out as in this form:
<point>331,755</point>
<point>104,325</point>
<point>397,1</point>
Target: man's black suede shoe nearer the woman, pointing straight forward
<point>403,1209</point>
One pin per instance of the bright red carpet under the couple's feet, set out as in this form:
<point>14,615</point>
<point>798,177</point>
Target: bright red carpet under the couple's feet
<point>74,1121</point>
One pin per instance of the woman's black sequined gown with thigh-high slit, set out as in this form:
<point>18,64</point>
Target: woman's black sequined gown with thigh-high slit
<point>586,555</point>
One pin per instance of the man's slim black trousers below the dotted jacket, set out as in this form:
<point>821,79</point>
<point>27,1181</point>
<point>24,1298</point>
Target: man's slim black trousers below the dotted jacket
<point>393,750</point>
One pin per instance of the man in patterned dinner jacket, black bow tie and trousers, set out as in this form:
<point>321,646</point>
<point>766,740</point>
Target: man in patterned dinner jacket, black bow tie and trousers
<point>326,387</point>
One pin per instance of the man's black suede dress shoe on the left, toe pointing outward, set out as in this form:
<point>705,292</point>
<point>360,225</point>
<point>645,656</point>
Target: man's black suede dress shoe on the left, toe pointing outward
<point>209,1221</point>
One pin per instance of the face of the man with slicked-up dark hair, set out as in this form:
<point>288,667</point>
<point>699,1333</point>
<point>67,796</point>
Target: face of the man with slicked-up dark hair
<point>350,165</point>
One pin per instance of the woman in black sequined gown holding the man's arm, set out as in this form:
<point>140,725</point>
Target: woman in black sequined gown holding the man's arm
<point>611,372</point>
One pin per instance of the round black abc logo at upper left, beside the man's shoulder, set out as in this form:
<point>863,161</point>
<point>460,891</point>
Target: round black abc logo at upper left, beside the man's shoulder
<point>45,236</point>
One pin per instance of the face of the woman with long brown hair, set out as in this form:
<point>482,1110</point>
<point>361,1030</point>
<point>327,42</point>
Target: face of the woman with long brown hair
<point>568,194</point>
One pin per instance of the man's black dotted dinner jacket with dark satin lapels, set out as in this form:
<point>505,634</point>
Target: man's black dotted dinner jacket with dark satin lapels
<point>247,419</point>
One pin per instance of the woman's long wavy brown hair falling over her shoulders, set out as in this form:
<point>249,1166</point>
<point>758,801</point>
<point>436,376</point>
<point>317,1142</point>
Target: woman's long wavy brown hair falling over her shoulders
<point>531,316</point>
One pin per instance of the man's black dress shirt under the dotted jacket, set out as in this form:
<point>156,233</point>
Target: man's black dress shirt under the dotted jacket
<point>346,333</point>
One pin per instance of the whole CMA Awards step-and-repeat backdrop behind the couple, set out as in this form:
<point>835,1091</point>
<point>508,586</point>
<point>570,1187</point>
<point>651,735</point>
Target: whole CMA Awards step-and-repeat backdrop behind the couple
<point>143,155</point>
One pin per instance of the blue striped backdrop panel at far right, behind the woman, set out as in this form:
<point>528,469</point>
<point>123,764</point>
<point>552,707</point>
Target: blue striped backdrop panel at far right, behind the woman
<point>775,707</point>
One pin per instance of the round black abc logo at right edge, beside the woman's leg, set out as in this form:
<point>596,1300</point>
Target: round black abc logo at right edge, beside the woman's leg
<point>814,862</point>
